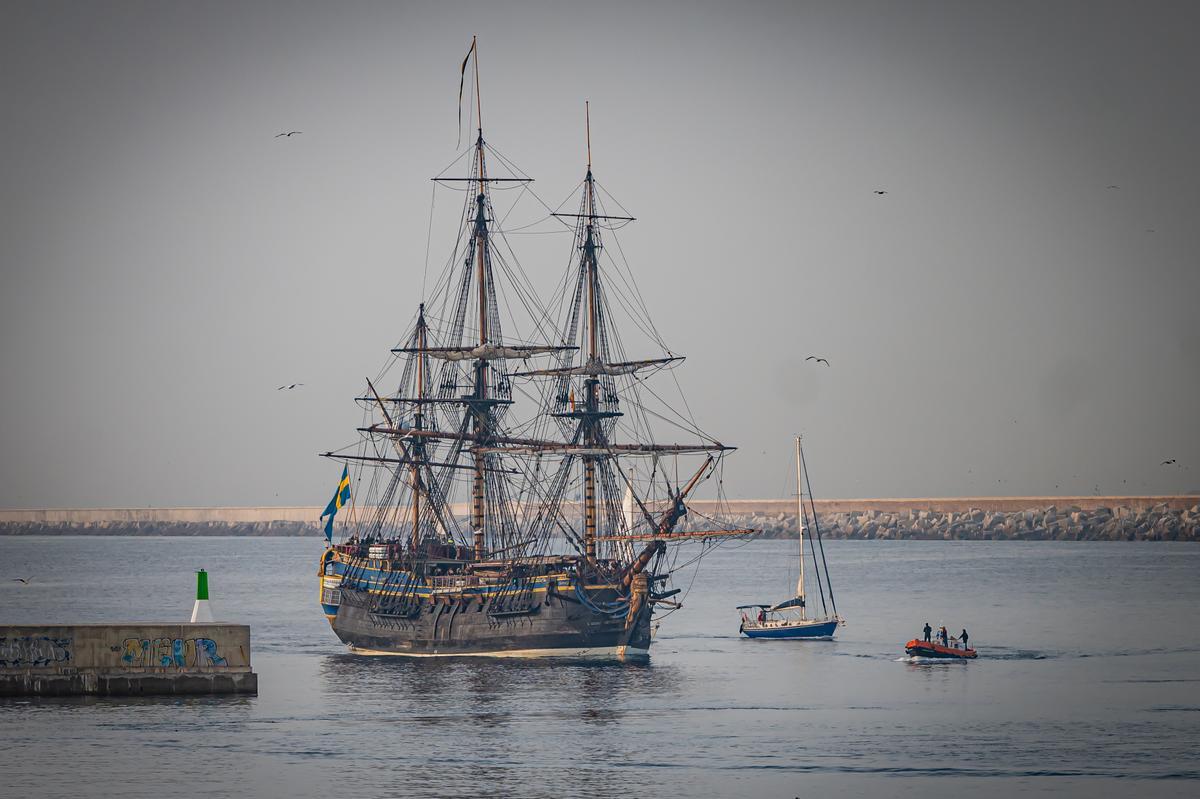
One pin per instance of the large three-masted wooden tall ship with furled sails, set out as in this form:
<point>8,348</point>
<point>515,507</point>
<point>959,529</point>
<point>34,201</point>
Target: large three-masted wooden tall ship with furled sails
<point>511,494</point>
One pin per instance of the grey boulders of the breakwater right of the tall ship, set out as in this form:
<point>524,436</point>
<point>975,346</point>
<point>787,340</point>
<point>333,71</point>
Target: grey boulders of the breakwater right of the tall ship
<point>1049,524</point>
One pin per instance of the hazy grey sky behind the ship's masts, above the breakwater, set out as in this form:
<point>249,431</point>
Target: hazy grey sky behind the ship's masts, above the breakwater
<point>999,323</point>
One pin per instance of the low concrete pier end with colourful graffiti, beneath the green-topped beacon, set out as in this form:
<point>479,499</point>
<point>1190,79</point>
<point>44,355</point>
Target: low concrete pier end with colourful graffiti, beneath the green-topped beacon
<point>125,659</point>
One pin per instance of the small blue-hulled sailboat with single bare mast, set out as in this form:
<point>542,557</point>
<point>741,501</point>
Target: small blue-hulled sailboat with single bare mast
<point>789,618</point>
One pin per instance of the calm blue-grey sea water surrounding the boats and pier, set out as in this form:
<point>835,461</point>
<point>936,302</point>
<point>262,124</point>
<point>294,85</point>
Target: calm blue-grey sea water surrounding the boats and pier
<point>1088,684</point>
